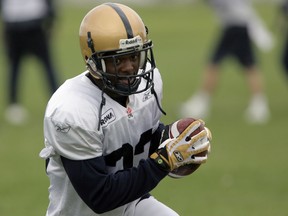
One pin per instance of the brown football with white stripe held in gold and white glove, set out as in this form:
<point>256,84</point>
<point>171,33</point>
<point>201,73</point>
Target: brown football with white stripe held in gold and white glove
<point>175,130</point>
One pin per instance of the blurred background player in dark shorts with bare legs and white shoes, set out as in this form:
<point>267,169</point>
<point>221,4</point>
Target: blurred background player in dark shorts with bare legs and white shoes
<point>240,26</point>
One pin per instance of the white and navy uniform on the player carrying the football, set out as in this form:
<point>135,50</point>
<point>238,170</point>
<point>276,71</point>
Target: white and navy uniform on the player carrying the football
<point>102,172</point>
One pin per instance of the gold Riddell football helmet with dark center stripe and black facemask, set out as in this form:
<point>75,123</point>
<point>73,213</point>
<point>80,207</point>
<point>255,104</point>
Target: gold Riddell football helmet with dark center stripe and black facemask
<point>112,30</point>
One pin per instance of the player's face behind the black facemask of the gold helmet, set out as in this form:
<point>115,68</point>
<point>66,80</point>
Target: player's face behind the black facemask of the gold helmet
<point>123,66</point>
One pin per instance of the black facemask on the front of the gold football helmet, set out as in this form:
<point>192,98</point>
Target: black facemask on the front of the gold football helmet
<point>123,84</point>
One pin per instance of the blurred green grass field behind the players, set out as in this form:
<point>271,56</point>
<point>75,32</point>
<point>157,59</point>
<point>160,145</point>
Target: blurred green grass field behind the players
<point>246,173</point>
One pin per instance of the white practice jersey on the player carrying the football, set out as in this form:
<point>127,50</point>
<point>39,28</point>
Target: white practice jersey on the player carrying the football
<point>71,130</point>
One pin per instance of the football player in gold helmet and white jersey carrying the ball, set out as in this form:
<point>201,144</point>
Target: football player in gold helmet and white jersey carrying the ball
<point>102,129</point>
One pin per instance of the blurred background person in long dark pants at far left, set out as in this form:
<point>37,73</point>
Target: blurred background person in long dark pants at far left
<point>27,27</point>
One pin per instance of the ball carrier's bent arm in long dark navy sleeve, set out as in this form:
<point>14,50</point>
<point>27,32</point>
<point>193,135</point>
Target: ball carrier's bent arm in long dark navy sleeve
<point>103,192</point>
